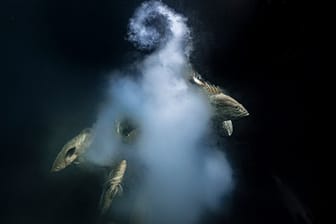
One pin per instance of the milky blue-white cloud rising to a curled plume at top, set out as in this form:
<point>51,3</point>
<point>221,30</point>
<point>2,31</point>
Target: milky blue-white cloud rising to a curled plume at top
<point>181,173</point>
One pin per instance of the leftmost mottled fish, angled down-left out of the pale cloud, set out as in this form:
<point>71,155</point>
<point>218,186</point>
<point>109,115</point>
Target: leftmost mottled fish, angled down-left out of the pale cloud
<point>72,150</point>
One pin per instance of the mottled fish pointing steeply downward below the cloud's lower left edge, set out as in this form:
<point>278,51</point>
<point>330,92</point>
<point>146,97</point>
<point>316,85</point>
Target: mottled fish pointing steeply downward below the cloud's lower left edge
<point>113,187</point>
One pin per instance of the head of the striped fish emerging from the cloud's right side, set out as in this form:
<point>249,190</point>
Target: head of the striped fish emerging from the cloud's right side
<point>227,107</point>
